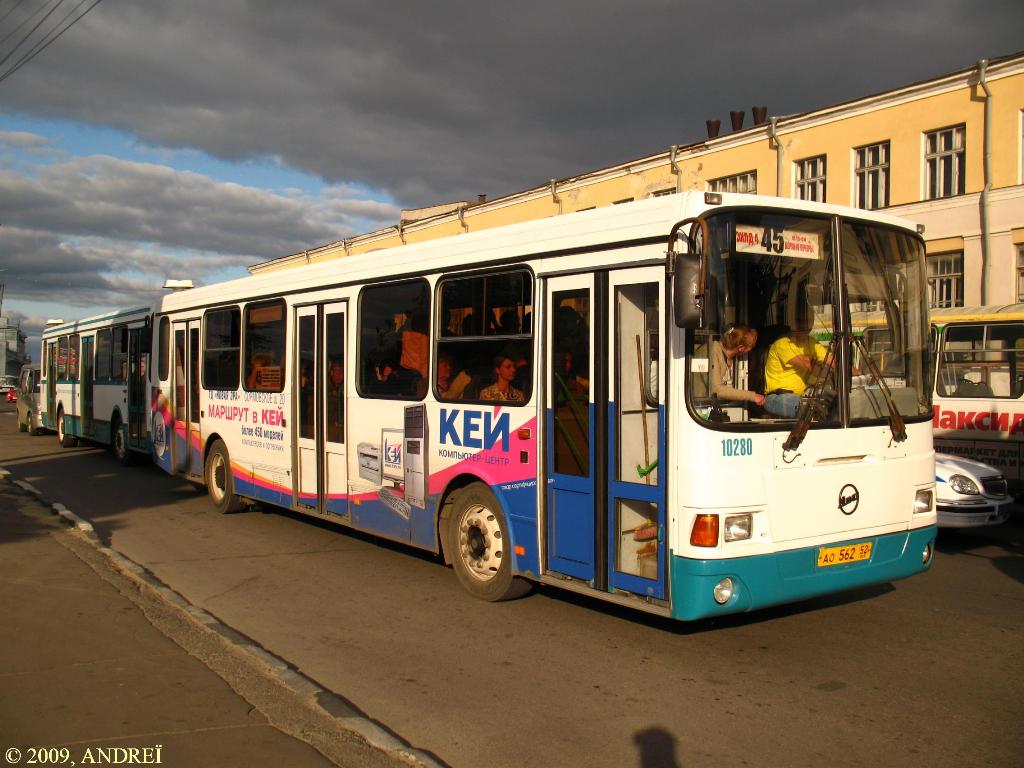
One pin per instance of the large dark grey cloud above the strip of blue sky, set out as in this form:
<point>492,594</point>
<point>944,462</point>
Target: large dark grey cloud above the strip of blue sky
<point>439,102</point>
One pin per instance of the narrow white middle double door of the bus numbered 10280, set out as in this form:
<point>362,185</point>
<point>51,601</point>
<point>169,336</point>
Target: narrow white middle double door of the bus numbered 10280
<point>322,480</point>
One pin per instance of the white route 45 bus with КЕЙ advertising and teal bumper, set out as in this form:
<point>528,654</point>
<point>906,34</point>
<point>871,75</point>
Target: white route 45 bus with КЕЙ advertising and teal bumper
<point>534,402</point>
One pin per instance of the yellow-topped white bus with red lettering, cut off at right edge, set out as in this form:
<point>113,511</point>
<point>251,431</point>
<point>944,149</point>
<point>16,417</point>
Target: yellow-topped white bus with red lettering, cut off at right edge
<point>979,386</point>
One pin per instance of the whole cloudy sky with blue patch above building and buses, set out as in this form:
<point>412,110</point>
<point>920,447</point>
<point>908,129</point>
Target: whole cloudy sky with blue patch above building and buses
<point>191,139</point>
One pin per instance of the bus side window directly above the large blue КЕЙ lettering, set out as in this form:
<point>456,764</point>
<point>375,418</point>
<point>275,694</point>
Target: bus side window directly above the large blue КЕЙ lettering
<point>485,339</point>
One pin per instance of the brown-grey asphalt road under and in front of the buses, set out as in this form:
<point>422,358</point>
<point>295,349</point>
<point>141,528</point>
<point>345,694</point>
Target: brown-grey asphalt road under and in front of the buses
<point>921,672</point>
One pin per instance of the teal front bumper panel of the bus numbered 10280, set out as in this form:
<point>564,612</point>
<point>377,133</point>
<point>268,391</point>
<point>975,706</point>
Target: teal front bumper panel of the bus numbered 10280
<point>793,576</point>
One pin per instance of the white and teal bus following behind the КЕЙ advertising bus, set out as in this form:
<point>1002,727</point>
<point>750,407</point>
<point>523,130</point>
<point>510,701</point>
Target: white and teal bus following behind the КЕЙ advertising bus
<point>94,382</point>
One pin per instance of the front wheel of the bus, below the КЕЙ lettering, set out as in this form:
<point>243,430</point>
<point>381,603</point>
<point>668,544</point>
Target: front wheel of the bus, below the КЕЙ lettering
<point>481,548</point>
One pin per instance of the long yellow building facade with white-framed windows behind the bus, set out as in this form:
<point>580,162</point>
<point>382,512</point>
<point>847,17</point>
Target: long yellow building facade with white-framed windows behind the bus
<point>948,153</point>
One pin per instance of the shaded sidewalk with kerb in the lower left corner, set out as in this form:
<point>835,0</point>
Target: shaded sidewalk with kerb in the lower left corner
<point>83,666</point>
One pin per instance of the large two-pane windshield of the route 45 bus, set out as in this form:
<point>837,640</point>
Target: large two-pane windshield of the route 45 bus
<point>782,343</point>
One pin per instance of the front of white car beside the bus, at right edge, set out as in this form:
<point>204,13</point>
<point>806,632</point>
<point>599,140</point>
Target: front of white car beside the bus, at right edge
<point>969,494</point>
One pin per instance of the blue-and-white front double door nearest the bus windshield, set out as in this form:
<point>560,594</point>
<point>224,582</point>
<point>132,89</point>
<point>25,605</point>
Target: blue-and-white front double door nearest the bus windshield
<point>606,431</point>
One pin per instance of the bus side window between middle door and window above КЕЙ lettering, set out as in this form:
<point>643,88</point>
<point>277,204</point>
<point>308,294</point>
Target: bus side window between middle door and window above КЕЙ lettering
<point>394,343</point>
